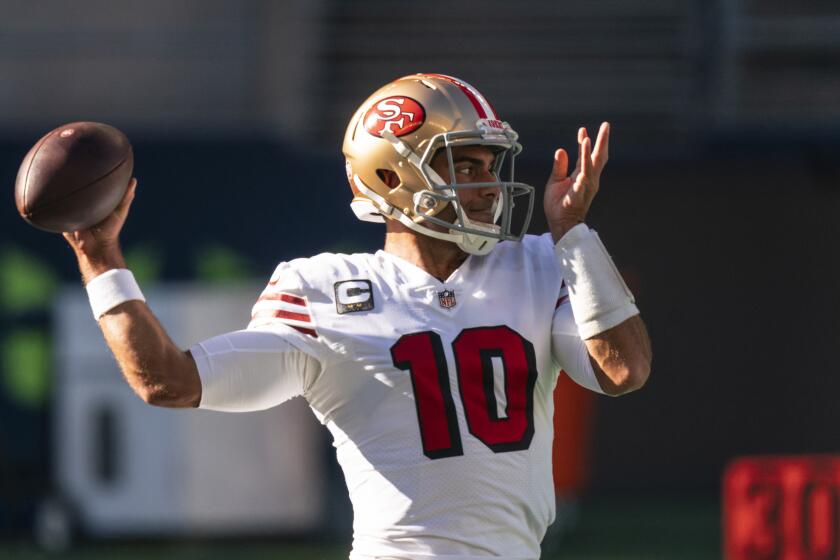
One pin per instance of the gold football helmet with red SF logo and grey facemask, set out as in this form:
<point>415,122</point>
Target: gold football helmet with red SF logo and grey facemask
<point>401,127</point>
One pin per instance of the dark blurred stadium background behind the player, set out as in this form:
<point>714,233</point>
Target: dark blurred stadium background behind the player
<point>720,204</point>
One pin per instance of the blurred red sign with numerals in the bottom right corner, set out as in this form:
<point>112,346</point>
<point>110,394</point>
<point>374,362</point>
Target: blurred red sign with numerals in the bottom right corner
<point>782,508</point>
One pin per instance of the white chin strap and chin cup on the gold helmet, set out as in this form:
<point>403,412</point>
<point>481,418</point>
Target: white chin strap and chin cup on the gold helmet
<point>469,243</point>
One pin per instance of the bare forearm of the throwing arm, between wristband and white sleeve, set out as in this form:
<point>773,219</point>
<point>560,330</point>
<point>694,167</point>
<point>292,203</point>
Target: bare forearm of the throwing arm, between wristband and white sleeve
<point>155,368</point>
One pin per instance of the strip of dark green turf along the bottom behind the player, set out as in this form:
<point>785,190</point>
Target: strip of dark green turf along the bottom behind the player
<point>615,529</point>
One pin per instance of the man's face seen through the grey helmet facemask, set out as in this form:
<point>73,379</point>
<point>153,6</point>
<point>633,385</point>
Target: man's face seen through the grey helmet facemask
<point>473,164</point>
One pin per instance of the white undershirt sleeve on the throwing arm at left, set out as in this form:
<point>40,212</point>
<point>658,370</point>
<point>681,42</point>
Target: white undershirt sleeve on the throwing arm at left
<point>243,371</point>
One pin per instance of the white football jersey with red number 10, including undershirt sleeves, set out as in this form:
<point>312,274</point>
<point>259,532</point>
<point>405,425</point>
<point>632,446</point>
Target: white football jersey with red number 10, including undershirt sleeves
<point>438,394</point>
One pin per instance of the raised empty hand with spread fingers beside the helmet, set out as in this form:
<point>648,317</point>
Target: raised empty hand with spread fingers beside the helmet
<point>568,197</point>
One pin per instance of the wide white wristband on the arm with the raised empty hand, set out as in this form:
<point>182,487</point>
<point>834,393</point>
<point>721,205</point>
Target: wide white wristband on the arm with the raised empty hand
<point>599,297</point>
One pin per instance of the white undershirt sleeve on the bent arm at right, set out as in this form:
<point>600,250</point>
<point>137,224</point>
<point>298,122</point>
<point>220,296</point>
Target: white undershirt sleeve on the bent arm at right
<point>569,349</point>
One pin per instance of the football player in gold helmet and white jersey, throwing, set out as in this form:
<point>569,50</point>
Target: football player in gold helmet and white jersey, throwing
<point>432,361</point>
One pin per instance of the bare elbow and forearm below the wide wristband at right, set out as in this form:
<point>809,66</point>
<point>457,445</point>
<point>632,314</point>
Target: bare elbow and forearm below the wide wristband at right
<point>621,356</point>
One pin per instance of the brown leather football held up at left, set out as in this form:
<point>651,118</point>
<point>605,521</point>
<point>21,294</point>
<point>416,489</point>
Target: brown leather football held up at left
<point>74,176</point>
